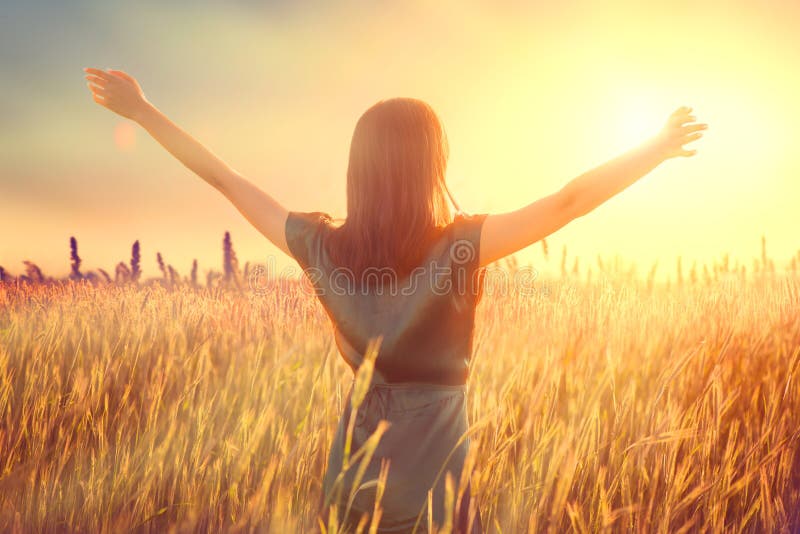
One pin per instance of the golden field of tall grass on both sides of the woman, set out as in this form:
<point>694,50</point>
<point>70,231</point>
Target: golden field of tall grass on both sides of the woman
<point>611,403</point>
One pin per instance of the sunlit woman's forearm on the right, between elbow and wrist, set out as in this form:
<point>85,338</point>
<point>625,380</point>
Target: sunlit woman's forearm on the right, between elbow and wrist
<point>594,187</point>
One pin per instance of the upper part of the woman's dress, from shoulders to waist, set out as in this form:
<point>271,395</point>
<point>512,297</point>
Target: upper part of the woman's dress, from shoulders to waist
<point>426,318</point>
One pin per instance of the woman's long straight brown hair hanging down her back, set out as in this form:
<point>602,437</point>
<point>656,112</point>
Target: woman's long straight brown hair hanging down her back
<point>396,190</point>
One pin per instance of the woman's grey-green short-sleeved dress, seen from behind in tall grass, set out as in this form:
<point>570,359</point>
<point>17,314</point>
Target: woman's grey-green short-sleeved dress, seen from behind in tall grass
<point>425,322</point>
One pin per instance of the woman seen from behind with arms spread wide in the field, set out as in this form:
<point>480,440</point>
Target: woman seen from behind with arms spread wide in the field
<point>400,279</point>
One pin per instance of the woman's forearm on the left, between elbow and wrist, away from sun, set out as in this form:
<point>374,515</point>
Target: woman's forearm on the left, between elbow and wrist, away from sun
<point>183,146</point>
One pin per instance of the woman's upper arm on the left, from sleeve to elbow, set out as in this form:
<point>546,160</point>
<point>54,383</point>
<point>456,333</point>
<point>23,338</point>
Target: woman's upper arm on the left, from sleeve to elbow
<point>266,214</point>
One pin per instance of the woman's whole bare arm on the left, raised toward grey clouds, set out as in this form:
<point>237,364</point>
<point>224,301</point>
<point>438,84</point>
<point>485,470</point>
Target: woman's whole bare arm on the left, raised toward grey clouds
<point>121,93</point>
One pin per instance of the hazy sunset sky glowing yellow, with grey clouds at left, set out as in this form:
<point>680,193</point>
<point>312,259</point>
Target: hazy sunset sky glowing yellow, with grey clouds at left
<point>531,94</point>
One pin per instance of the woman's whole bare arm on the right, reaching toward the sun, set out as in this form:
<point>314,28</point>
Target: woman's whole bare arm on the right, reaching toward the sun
<point>505,233</point>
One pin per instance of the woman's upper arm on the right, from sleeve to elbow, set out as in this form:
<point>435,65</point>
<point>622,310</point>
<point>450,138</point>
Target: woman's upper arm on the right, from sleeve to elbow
<point>506,233</point>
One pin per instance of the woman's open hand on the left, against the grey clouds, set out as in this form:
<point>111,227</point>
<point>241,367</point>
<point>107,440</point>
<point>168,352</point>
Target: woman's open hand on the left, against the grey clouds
<point>118,91</point>
